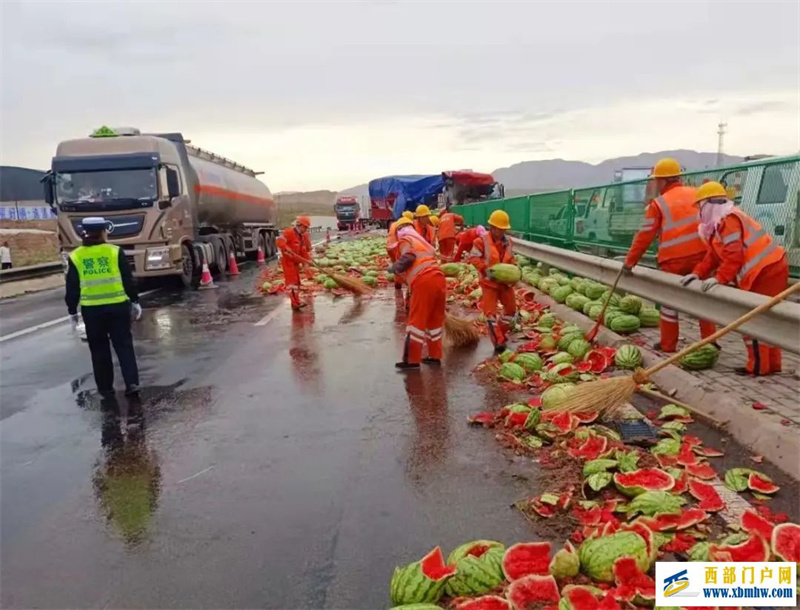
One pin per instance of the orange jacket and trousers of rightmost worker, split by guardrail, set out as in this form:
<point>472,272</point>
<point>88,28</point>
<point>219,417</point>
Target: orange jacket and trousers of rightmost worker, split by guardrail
<point>742,253</point>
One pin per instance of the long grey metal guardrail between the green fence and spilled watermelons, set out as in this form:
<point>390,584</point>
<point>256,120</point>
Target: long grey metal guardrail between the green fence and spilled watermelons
<point>780,326</point>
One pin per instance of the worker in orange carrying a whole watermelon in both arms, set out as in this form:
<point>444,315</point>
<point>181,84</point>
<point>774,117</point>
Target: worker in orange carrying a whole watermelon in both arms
<point>492,248</point>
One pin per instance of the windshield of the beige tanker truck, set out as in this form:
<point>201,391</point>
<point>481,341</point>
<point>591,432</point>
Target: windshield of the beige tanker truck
<point>128,186</point>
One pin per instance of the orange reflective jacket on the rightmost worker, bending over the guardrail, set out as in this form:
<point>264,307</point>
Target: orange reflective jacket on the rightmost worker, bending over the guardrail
<point>738,251</point>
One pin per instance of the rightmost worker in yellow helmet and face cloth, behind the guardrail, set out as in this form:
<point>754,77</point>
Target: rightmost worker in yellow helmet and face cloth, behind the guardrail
<point>741,253</point>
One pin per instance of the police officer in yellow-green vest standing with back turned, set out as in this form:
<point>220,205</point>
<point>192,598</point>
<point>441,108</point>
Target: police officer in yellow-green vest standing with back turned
<point>99,278</point>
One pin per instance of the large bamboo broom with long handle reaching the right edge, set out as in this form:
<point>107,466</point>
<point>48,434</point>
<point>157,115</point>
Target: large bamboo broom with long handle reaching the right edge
<point>608,395</point>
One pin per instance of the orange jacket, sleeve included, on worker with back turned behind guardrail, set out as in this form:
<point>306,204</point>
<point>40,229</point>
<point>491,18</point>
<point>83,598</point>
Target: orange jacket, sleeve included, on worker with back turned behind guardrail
<point>673,217</point>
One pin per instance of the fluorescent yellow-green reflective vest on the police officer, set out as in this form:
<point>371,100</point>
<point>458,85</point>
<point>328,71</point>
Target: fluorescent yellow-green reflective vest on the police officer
<point>98,270</point>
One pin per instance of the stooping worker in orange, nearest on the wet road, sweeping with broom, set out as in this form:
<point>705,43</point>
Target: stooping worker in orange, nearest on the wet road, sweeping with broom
<point>416,264</point>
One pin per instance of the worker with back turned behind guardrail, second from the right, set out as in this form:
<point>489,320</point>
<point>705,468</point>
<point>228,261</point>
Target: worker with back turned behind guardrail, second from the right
<point>672,216</point>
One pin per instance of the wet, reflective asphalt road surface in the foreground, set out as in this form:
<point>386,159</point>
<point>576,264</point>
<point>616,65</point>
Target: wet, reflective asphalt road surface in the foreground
<point>284,465</point>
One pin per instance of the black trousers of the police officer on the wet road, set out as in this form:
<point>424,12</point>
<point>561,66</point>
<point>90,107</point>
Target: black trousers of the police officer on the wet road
<point>108,325</point>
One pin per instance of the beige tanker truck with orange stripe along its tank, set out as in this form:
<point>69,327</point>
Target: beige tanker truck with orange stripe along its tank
<point>171,206</point>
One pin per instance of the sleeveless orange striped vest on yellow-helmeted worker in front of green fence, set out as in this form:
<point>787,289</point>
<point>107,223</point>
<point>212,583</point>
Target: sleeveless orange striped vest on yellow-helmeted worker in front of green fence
<point>678,236</point>
